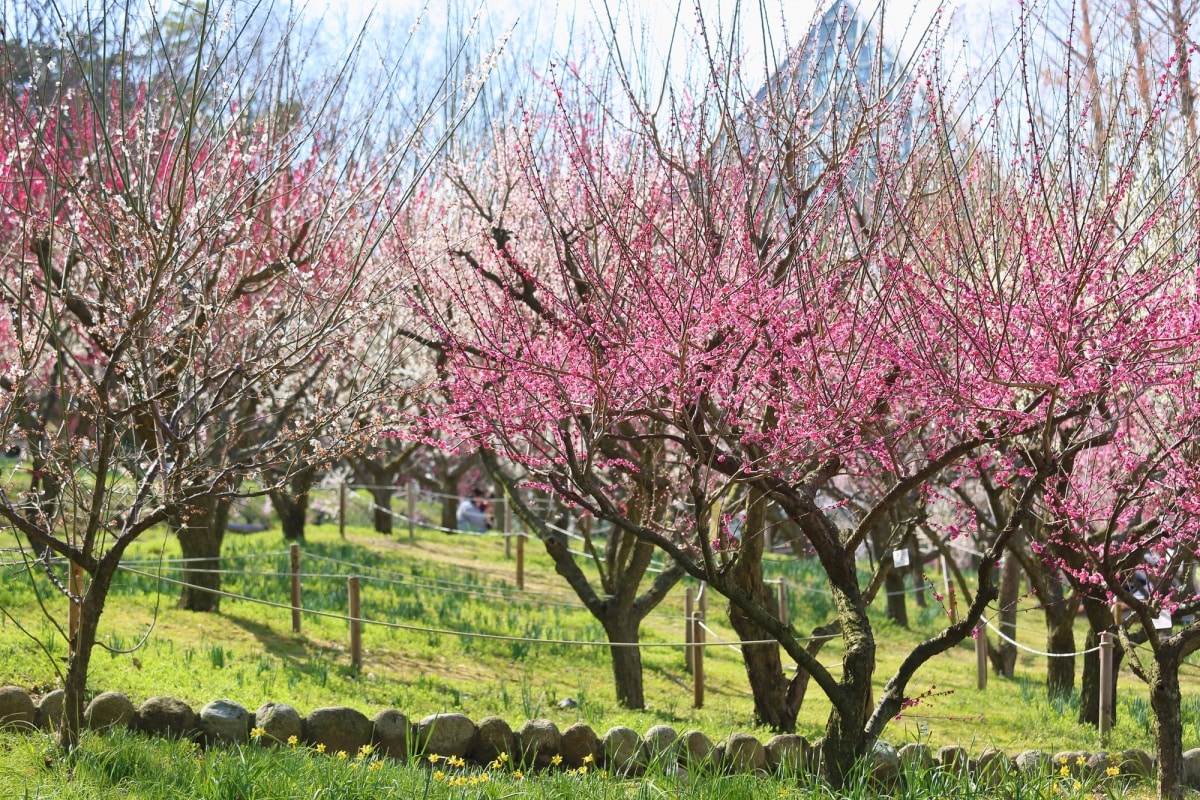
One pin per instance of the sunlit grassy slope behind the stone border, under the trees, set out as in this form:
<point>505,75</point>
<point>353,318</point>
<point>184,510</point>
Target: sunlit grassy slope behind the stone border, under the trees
<point>465,584</point>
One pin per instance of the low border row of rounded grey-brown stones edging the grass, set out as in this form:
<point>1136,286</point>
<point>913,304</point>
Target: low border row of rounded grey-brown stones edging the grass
<point>539,744</point>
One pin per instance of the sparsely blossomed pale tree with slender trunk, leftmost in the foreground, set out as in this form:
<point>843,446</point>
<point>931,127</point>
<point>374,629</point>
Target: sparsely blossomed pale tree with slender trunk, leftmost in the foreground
<point>178,272</point>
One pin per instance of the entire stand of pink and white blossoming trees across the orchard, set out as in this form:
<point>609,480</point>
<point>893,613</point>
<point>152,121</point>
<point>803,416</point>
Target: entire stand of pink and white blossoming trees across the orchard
<point>849,294</point>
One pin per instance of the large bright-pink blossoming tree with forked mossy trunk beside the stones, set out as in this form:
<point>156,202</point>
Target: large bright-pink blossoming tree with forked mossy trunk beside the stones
<point>815,291</point>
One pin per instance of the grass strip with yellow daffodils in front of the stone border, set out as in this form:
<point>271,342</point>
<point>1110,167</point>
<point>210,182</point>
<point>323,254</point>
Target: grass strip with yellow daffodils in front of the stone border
<point>124,767</point>
